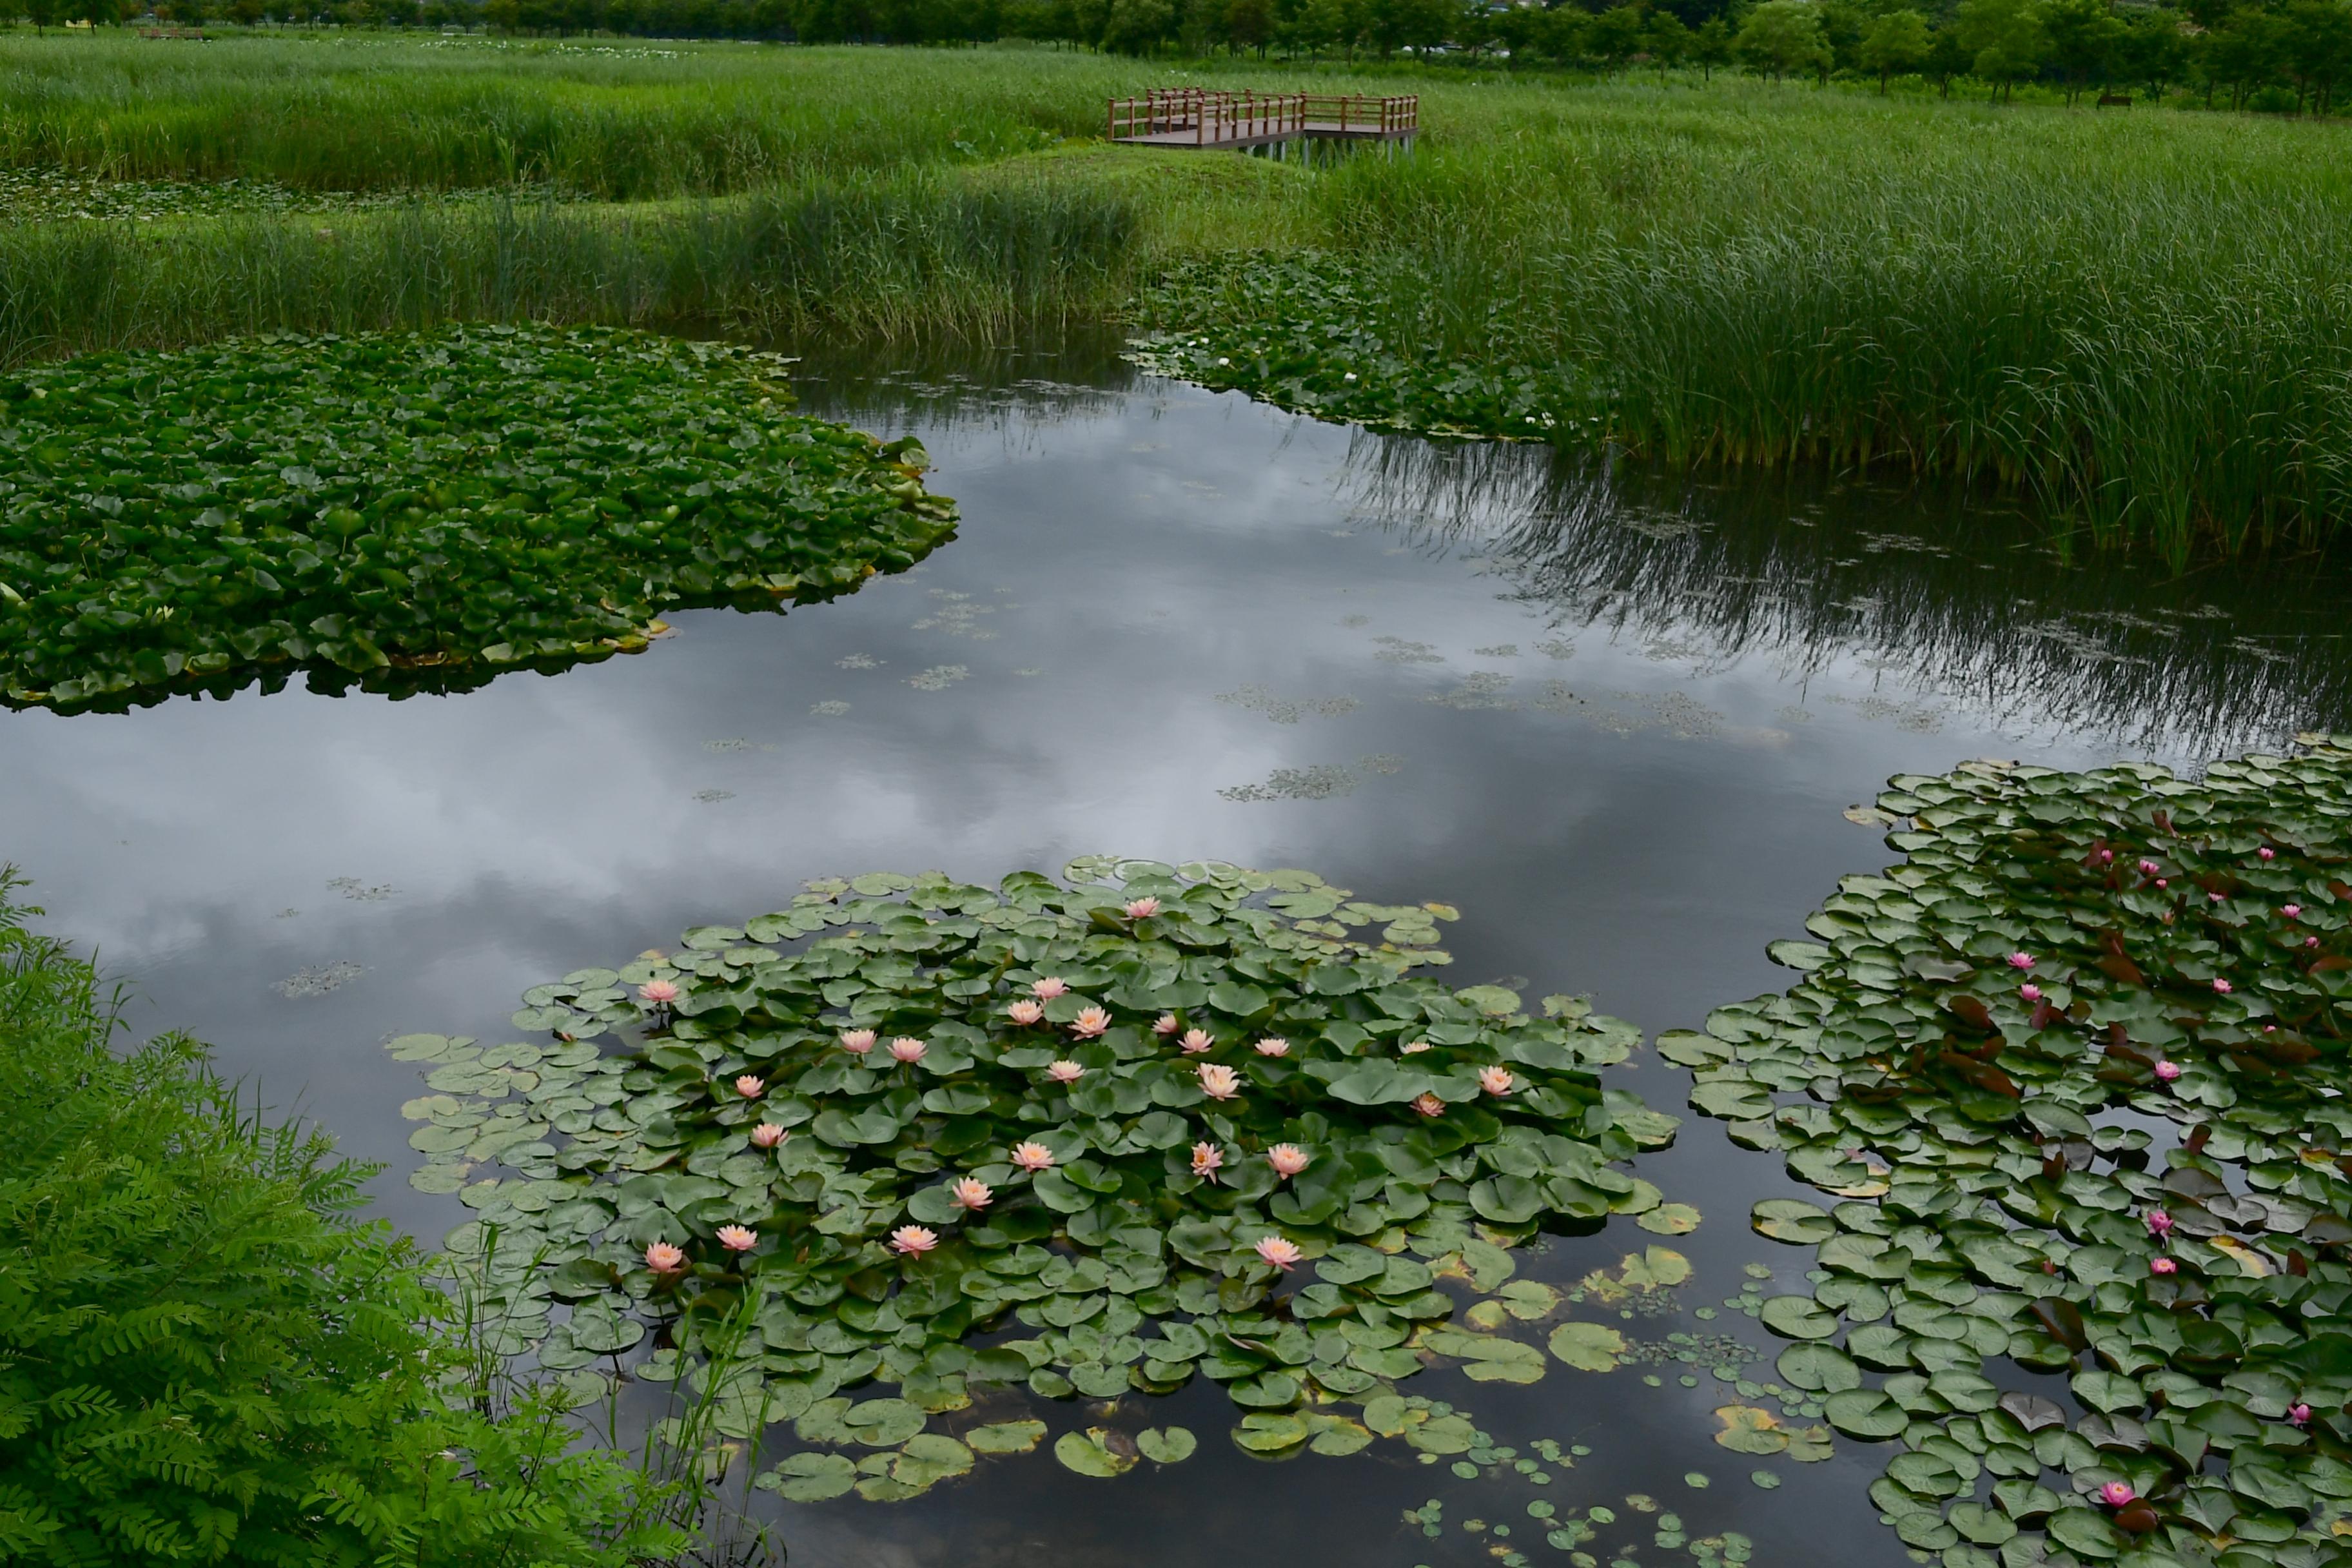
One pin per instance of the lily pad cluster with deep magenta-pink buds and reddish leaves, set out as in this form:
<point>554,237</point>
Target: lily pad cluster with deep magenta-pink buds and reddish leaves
<point>2078,1071</point>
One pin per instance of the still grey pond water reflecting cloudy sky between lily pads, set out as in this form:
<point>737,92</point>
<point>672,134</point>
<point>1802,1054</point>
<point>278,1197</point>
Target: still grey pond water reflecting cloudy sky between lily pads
<point>1631,728</point>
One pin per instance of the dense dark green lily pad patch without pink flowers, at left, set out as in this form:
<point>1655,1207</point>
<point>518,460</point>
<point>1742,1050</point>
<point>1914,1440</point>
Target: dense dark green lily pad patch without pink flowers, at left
<point>415,509</point>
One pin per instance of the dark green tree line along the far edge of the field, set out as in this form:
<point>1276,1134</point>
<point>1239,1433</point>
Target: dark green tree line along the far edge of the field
<point>2273,55</point>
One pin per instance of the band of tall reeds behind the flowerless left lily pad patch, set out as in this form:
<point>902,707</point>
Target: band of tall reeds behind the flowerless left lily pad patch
<point>878,257</point>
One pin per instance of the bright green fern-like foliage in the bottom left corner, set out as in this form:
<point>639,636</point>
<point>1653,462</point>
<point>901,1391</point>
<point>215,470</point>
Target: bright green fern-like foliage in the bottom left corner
<point>206,1358</point>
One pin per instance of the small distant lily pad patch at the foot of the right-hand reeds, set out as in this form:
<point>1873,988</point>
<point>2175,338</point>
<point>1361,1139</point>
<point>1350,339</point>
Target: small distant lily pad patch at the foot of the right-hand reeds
<point>1304,333</point>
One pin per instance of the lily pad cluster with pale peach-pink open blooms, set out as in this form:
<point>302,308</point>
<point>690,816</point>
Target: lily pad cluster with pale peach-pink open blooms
<point>1093,1137</point>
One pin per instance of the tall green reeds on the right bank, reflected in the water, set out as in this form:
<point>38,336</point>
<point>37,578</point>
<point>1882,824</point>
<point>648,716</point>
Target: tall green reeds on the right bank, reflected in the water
<point>2139,326</point>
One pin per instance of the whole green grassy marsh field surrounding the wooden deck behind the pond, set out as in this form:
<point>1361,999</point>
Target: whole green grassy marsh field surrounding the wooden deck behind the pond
<point>2132,316</point>
